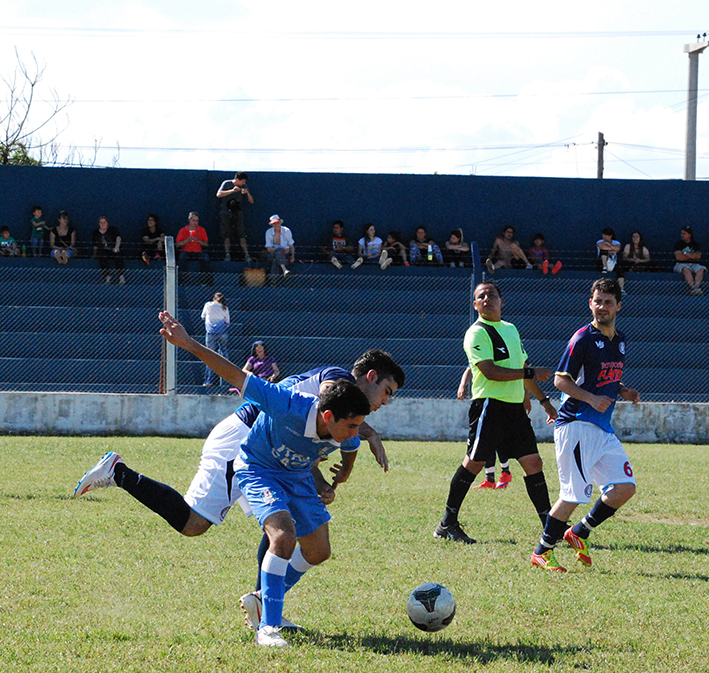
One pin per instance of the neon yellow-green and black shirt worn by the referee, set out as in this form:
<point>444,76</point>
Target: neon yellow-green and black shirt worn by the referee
<point>499,342</point>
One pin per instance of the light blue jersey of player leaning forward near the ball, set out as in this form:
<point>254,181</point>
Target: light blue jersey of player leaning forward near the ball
<point>284,436</point>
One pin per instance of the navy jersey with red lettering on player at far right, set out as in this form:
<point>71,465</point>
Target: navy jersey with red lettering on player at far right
<point>595,363</point>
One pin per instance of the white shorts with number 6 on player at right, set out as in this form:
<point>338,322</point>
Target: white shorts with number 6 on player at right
<point>585,453</point>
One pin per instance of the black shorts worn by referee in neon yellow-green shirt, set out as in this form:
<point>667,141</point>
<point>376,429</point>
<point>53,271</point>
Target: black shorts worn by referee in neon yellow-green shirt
<point>501,427</point>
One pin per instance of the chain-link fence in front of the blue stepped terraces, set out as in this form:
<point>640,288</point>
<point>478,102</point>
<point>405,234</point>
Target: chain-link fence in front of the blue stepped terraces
<point>65,329</point>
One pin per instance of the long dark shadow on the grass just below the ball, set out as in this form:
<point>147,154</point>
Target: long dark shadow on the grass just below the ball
<point>482,652</point>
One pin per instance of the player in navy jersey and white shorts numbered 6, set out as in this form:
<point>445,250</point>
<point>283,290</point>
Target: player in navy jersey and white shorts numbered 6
<point>587,449</point>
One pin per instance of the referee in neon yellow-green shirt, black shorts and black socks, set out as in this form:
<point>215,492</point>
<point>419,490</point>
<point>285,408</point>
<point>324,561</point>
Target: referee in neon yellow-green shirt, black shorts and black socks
<point>498,416</point>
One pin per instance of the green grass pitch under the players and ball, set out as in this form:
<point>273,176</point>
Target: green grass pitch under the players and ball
<point>102,584</point>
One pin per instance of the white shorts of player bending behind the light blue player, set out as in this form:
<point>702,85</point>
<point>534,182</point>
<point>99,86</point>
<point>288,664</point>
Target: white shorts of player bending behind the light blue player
<point>213,490</point>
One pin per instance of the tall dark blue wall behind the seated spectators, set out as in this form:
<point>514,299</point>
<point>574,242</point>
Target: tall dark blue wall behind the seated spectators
<point>571,212</point>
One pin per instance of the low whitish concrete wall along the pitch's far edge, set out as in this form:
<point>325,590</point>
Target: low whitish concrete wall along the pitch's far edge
<point>405,419</point>
